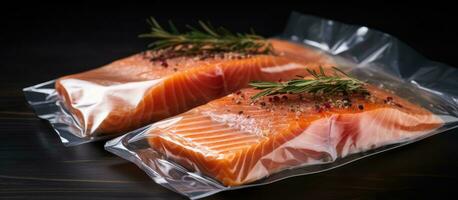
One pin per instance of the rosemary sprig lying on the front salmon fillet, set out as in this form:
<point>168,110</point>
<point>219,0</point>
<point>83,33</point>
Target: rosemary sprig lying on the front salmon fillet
<point>320,84</point>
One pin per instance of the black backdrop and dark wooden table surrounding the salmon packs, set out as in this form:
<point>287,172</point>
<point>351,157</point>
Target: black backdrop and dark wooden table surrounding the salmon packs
<point>42,42</point>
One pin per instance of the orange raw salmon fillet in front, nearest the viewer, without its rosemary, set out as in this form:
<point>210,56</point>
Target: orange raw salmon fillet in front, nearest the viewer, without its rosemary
<point>237,141</point>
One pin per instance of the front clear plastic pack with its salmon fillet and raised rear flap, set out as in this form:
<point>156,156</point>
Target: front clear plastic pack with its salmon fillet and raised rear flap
<point>231,143</point>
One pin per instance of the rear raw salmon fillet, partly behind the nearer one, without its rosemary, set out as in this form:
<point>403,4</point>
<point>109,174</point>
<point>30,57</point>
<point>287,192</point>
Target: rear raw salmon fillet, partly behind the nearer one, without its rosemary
<point>135,91</point>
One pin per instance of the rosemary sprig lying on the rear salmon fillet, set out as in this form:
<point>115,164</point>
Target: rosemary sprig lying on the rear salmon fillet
<point>207,39</point>
